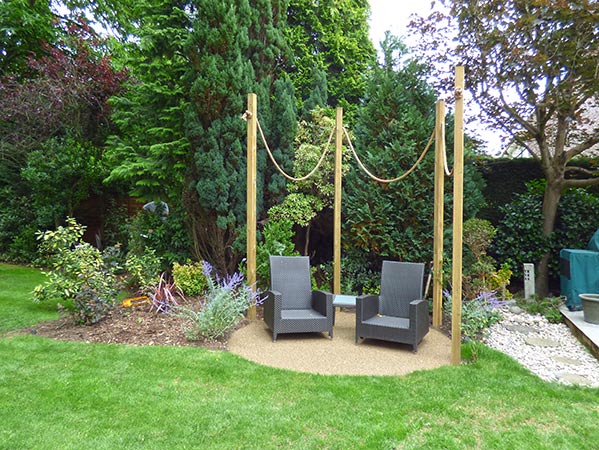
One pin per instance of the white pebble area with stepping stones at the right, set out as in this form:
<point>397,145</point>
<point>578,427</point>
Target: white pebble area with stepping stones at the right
<point>547,349</point>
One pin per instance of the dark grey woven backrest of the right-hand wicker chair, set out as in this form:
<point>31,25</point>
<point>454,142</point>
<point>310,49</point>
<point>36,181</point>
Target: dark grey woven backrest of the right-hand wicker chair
<point>401,283</point>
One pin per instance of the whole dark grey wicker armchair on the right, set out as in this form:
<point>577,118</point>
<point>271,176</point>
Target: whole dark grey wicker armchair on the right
<point>399,314</point>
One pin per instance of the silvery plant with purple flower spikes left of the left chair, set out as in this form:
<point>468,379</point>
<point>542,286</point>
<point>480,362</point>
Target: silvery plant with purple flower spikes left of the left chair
<point>227,299</point>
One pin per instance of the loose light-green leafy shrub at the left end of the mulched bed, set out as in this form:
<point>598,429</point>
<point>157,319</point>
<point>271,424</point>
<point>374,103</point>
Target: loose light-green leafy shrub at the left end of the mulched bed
<point>77,276</point>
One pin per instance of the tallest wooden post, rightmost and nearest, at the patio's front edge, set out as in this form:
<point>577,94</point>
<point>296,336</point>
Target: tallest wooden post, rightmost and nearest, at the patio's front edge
<point>458,217</point>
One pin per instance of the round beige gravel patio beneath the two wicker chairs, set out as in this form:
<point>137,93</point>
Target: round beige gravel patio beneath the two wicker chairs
<point>316,353</point>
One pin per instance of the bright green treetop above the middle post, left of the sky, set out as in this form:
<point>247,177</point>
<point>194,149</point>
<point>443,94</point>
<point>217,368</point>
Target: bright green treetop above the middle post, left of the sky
<point>332,50</point>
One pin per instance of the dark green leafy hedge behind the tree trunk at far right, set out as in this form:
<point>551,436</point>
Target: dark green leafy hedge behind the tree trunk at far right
<point>520,238</point>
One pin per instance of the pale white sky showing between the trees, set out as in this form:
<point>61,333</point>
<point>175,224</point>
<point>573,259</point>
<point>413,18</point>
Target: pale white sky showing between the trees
<point>394,16</point>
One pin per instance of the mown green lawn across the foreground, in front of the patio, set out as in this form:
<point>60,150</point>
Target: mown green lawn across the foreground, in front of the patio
<point>91,396</point>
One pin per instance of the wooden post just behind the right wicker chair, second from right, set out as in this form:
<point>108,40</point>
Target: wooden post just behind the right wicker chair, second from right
<point>438,215</point>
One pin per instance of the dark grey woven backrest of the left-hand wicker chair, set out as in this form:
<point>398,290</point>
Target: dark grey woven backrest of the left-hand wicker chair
<point>290,275</point>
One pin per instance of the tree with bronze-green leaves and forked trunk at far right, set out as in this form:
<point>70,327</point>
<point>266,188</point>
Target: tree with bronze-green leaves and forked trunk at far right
<point>532,67</point>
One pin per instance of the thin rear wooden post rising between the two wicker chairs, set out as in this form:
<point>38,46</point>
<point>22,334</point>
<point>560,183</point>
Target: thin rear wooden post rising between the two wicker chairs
<point>337,211</point>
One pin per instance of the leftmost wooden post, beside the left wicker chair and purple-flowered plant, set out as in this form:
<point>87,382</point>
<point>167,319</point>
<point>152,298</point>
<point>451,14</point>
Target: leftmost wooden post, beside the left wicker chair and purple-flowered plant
<point>252,118</point>
